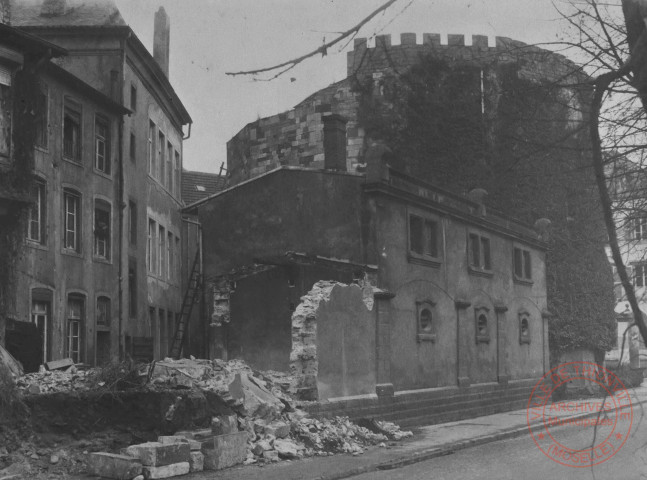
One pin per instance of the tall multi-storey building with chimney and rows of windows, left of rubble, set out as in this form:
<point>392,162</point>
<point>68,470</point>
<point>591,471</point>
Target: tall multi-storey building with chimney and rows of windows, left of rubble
<point>102,276</point>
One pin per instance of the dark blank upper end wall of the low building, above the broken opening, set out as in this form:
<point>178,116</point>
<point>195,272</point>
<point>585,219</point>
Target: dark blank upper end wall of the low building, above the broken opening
<point>309,212</point>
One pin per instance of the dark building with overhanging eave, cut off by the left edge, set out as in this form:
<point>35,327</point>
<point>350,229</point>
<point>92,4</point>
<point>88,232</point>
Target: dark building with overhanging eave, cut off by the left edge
<point>21,58</point>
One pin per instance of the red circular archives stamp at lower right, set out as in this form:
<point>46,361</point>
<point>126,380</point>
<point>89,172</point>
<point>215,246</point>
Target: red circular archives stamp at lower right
<point>603,424</point>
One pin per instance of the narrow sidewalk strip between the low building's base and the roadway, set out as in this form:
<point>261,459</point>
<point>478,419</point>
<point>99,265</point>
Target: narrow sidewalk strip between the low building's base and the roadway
<point>428,442</point>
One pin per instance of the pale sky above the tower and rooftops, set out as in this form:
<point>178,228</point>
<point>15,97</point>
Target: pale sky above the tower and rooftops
<point>210,37</point>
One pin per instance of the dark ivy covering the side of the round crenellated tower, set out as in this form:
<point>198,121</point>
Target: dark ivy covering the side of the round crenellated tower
<point>525,141</point>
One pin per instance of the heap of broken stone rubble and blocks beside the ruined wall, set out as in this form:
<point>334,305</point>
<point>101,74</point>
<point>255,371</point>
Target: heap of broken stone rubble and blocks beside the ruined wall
<point>267,416</point>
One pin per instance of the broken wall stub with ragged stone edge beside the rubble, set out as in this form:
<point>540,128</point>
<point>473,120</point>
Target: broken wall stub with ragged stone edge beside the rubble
<point>333,342</point>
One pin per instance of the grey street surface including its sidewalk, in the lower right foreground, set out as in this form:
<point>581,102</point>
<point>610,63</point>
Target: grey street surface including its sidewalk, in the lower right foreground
<point>442,443</point>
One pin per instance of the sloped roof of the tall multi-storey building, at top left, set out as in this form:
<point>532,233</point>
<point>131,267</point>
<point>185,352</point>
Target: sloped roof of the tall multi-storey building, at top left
<point>57,13</point>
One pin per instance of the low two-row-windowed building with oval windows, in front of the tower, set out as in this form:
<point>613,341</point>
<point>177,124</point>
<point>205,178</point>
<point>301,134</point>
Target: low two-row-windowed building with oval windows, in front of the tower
<point>459,292</point>
